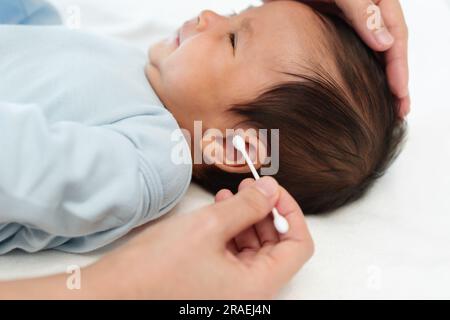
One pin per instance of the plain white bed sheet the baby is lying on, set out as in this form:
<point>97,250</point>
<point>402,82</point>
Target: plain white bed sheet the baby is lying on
<point>392,244</point>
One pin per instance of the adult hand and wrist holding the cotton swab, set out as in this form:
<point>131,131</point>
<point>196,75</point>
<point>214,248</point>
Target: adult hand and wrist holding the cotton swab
<point>229,250</point>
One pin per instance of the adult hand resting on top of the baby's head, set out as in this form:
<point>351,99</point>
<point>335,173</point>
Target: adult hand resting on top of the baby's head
<point>390,37</point>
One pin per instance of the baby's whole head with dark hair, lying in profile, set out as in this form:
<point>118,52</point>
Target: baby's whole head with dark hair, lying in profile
<point>284,66</point>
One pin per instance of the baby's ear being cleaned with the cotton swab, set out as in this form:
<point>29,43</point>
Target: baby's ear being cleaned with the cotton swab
<point>219,151</point>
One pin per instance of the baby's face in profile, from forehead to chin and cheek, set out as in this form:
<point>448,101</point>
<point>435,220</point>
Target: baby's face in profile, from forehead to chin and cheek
<point>218,61</point>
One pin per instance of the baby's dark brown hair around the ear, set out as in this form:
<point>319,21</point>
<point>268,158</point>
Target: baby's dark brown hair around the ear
<point>337,136</point>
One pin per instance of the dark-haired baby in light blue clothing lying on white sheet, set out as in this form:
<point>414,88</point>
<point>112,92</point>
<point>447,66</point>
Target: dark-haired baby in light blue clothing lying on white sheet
<point>88,123</point>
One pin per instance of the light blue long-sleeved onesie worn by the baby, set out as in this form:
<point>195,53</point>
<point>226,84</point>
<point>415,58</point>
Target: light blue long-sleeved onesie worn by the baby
<point>85,144</point>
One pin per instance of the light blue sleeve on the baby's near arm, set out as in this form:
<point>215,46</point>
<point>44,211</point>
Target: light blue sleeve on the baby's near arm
<point>70,186</point>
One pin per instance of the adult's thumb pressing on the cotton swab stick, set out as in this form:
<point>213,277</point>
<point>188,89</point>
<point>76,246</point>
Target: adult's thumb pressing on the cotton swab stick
<point>249,206</point>
